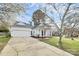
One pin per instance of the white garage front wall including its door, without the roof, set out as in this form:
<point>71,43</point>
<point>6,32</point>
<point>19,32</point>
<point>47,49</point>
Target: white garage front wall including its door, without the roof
<point>20,32</point>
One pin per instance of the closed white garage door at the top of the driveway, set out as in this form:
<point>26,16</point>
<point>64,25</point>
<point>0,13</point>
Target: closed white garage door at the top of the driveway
<point>20,33</point>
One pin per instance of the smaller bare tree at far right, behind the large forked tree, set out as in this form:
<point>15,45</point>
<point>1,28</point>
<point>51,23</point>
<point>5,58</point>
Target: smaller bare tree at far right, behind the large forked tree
<point>72,21</point>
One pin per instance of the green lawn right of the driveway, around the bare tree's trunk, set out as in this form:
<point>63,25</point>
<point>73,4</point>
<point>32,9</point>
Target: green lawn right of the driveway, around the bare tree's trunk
<point>71,46</point>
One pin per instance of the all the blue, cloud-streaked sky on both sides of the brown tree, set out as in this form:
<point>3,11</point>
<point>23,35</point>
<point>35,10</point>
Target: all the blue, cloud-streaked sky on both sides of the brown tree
<point>32,7</point>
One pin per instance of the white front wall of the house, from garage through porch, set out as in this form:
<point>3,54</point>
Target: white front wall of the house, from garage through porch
<point>25,32</point>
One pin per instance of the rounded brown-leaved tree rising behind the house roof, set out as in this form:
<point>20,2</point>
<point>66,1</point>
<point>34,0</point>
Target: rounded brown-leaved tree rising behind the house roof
<point>38,17</point>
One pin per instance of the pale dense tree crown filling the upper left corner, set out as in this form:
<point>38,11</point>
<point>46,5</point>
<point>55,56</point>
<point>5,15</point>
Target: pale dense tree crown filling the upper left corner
<point>9,12</point>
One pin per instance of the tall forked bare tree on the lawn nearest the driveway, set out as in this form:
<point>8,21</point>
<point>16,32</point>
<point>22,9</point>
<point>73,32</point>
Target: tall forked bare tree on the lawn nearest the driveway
<point>62,11</point>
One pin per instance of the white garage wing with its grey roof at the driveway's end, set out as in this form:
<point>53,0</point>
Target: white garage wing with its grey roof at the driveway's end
<point>20,29</point>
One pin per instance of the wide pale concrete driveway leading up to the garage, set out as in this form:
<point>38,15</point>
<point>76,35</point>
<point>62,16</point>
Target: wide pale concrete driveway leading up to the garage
<point>28,46</point>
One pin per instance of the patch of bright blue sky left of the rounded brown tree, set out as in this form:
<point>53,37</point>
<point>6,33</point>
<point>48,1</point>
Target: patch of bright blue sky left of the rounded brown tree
<point>27,15</point>
